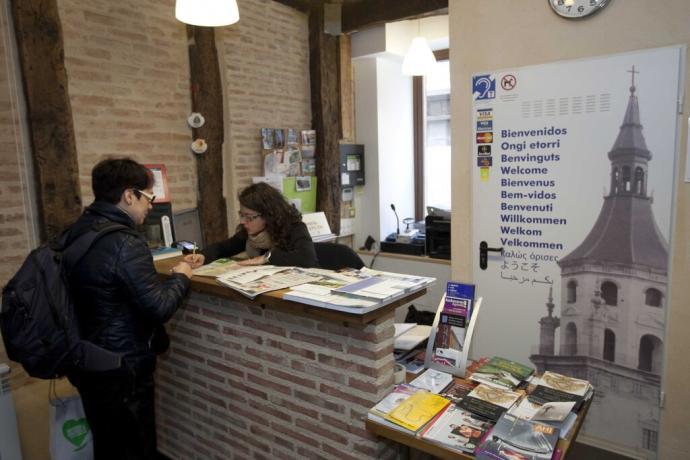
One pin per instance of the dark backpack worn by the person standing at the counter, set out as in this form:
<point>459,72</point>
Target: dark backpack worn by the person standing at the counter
<point>37,316</point>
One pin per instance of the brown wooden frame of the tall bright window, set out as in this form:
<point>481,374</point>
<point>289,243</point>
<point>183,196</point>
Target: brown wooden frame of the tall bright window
<point>419,128</point>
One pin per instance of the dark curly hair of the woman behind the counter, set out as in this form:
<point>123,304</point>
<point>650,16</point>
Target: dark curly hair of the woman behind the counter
<point>275,210</point>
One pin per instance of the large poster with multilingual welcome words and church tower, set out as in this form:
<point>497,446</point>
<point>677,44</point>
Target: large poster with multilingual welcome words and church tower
<point>573,179</point>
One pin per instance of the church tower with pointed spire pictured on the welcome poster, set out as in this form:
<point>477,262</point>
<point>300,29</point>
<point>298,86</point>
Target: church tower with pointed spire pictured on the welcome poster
<point>613,296</point>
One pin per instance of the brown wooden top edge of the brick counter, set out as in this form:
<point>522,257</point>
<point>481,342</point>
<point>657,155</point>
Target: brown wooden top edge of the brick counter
<point>274,300</point>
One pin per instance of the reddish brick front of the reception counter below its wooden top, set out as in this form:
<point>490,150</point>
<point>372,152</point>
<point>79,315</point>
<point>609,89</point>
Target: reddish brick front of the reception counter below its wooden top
<point>244,379</point>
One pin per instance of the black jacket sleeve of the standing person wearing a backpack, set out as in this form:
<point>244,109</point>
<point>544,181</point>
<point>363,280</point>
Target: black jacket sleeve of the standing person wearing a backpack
<point>154,299</point>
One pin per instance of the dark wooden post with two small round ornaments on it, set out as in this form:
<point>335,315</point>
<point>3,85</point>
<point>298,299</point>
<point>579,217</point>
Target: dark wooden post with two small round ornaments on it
<point>207,99</point>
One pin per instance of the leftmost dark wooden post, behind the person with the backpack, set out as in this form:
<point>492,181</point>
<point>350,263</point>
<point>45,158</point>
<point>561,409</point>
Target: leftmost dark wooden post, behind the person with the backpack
<point>49,112</point>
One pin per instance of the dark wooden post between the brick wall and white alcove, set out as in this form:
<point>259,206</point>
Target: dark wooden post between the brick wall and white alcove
<point>325,108</point>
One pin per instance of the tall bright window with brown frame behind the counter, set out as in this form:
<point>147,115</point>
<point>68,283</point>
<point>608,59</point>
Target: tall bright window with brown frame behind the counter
<point>432,137</point>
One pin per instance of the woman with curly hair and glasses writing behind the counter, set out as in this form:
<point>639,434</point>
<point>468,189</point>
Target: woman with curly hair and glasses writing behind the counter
<point>271,231</point>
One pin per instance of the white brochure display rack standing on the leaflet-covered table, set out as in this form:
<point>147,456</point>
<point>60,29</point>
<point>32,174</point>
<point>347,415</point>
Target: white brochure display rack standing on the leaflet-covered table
<point>452,359</point>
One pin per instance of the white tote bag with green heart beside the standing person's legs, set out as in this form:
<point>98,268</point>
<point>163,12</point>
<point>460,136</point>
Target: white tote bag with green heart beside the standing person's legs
<point>70,434</point>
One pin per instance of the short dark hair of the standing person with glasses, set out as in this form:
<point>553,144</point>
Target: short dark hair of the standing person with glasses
<point>111,177</point>
